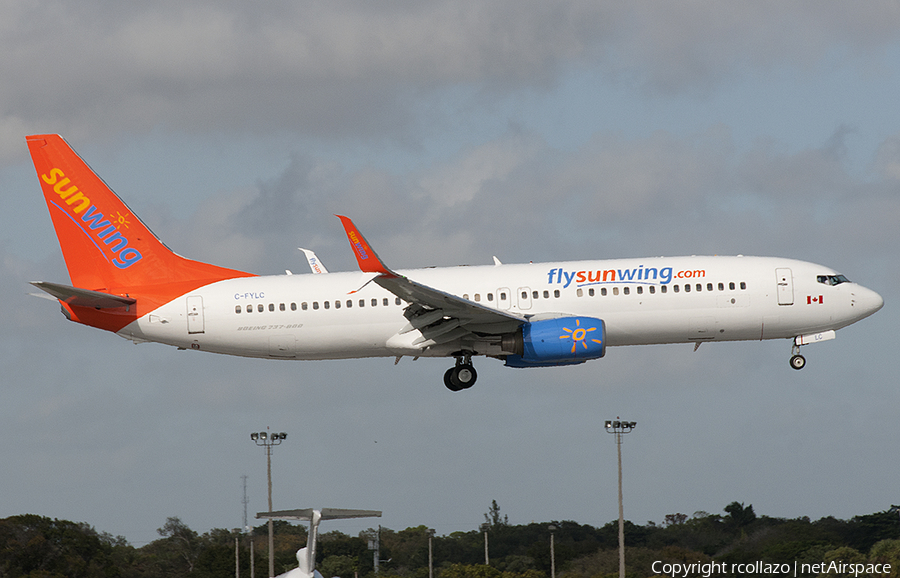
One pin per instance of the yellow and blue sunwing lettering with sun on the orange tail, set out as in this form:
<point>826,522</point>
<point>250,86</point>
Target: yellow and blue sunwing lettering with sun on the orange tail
<point>105,235</point>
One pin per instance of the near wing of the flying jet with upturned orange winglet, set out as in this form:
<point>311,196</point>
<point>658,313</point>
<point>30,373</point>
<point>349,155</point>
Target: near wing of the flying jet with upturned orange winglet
<point>438,315</point>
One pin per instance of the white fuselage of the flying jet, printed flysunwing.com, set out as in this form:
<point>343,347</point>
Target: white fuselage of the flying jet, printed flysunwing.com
<point>642,301</point>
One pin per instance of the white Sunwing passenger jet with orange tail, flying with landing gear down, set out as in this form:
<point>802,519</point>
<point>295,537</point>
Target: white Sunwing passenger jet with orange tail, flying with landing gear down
<point>125,280</point>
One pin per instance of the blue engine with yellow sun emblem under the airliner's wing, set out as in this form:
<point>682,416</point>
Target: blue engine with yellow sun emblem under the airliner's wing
<point>563,341</point>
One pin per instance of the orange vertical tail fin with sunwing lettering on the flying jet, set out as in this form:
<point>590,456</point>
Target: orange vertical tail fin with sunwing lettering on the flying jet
<point>105,245</point>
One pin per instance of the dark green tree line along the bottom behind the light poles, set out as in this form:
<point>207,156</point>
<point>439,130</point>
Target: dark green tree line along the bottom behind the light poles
<point>40,547</point>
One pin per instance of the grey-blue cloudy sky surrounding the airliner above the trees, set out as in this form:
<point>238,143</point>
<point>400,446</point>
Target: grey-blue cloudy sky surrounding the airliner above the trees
<point>453,131</point>
